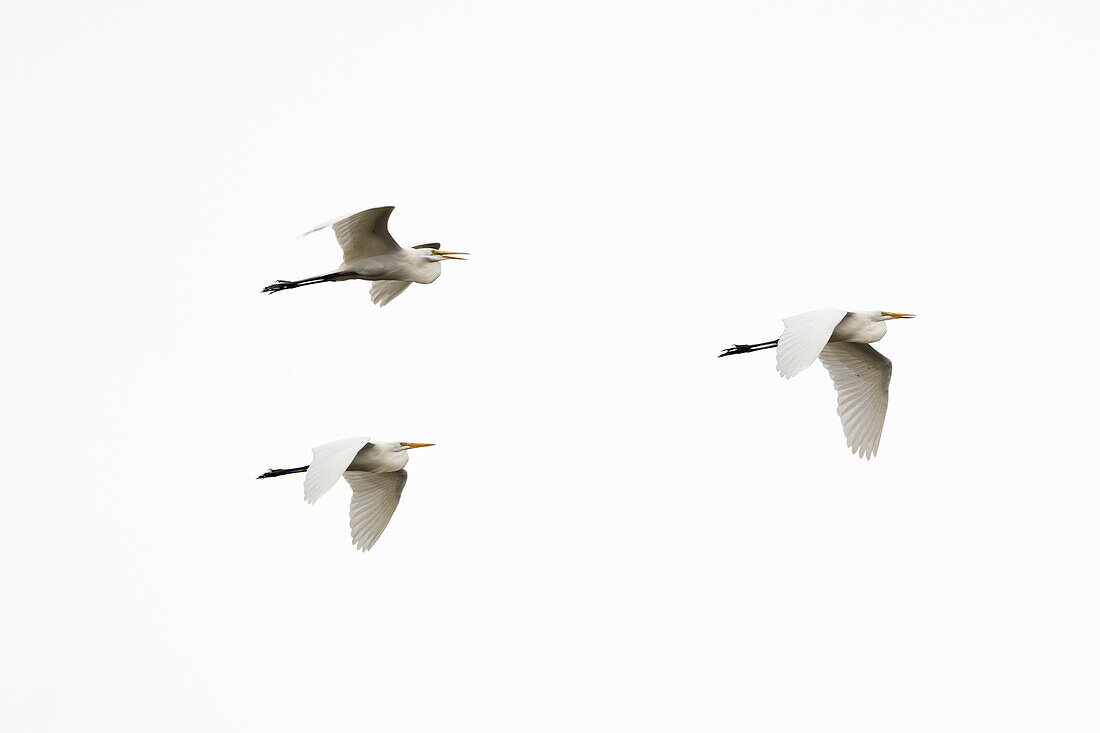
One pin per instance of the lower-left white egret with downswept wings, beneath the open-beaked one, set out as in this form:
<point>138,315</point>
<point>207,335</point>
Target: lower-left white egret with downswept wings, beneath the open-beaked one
<point>376,472</point>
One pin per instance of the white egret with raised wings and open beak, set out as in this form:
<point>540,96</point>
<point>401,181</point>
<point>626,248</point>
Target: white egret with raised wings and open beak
<point>371,254</point>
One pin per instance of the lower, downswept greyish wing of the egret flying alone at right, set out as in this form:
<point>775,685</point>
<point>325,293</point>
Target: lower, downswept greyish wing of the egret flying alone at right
<point>862,378</point>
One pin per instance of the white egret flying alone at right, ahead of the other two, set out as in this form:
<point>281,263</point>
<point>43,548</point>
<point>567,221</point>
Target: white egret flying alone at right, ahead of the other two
<point>861,375</point>
